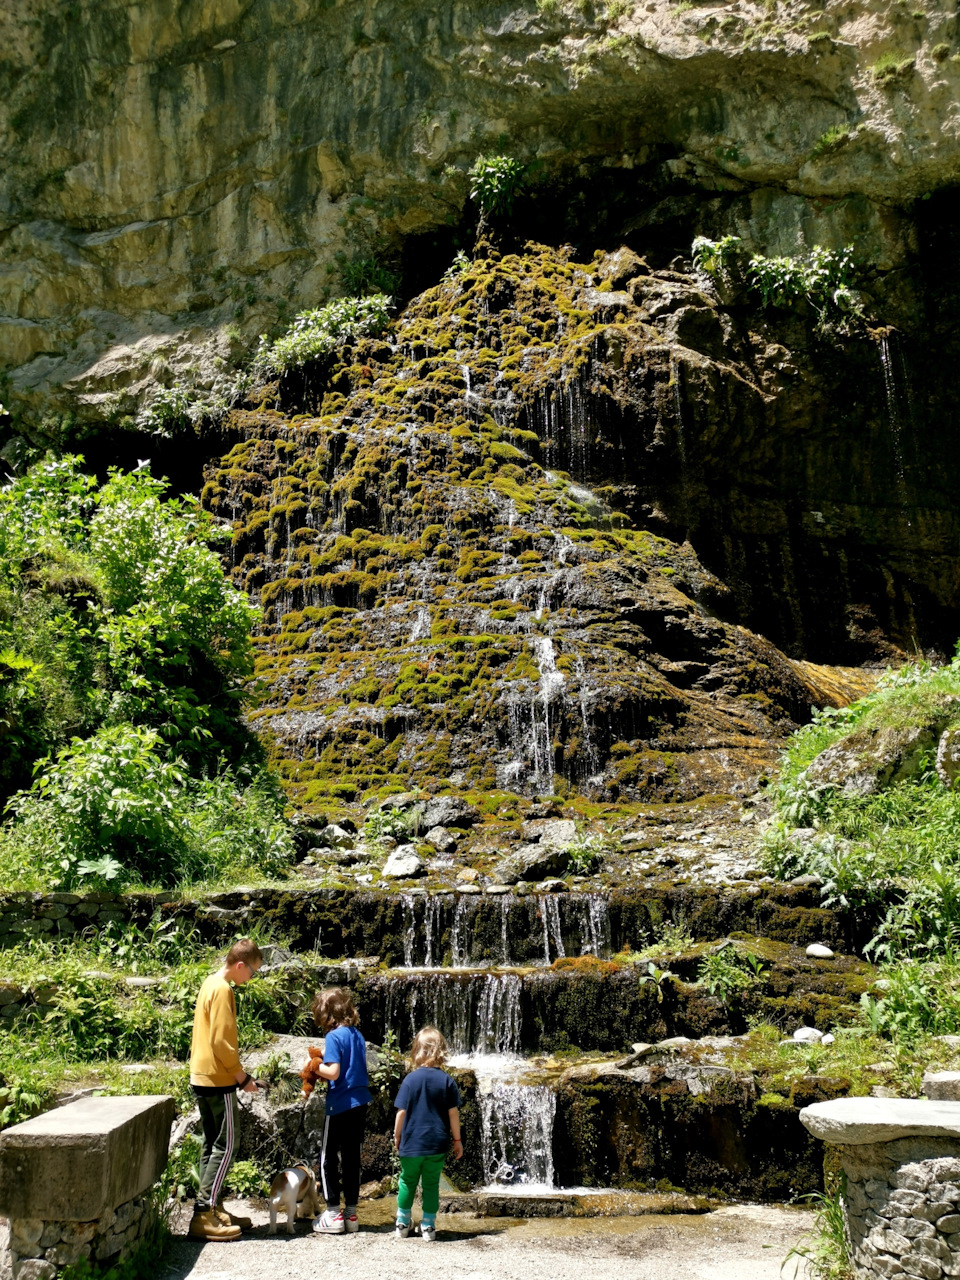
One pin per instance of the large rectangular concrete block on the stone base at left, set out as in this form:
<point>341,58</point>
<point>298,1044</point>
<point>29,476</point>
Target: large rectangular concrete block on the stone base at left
<point>81,1160</point>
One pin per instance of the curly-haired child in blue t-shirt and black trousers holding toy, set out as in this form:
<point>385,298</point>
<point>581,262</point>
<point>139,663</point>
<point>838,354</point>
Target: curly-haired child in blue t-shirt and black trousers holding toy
<point>348,1099</point>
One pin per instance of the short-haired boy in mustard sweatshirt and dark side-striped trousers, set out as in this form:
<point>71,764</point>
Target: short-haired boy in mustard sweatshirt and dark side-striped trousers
<point>216,1075</point>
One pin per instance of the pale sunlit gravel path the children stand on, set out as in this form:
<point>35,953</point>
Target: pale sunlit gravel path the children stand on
<point>737,1244</point>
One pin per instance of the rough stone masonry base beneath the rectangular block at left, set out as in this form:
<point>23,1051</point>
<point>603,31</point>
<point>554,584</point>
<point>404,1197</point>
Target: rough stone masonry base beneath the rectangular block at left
<point>40,1249</point>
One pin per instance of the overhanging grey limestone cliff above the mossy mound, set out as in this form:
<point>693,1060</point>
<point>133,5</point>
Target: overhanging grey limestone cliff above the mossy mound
<point>177,177</point>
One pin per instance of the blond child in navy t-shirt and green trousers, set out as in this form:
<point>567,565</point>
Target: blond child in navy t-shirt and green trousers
<point>428,1117</point>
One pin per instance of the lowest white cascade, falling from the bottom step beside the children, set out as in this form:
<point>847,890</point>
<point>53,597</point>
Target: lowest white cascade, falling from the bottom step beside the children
<point>518,1135</point>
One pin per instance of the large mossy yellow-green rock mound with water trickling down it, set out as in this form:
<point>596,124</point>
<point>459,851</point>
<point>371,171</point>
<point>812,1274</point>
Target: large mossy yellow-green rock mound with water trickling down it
<point>461,574</point>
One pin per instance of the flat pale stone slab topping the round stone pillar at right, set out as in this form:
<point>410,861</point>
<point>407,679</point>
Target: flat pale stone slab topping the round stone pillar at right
<point>856,1122</point>
